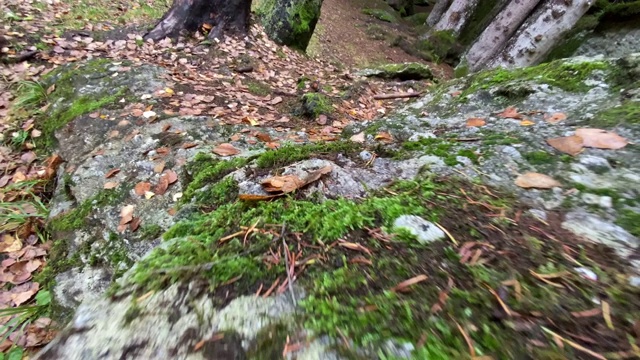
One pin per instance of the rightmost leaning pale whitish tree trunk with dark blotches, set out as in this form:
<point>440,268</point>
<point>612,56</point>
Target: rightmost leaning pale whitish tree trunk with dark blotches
<point>537,36</point>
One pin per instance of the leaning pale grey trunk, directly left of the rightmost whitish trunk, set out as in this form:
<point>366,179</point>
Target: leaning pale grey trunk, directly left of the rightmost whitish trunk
<point>494,38</point>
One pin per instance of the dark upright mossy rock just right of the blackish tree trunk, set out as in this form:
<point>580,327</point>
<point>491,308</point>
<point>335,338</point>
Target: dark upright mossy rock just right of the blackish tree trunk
<point>290,22</point>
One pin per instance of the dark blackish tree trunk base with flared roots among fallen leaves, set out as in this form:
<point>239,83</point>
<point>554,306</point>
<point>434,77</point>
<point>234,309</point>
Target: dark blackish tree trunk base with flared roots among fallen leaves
<point>220,16</point>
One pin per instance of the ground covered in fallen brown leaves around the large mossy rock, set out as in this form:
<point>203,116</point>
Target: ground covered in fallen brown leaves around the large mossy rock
<point>43,35</point>
